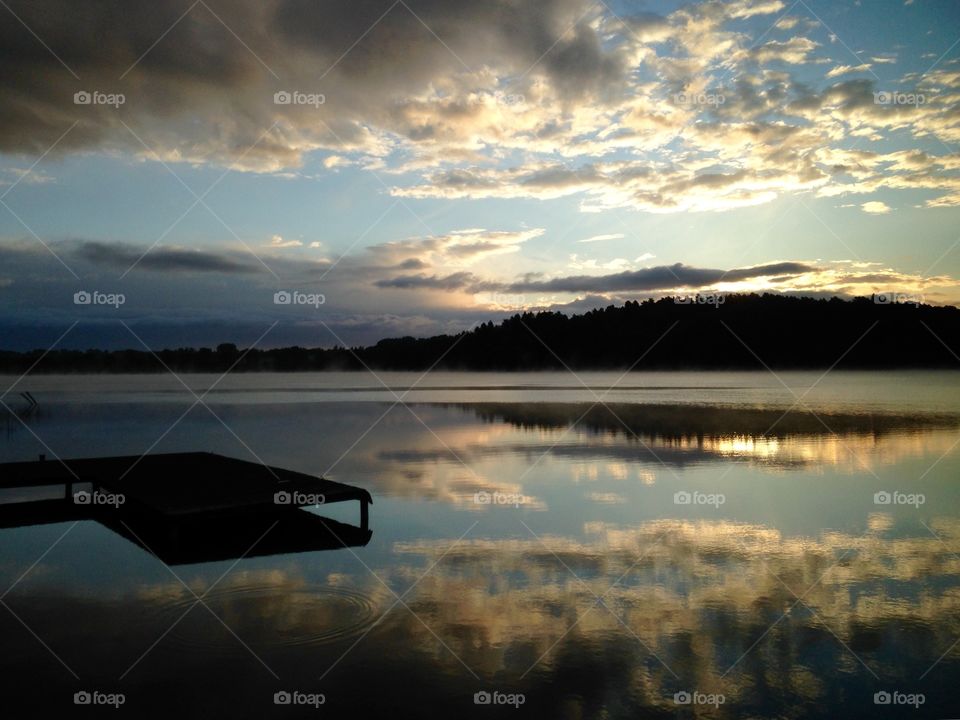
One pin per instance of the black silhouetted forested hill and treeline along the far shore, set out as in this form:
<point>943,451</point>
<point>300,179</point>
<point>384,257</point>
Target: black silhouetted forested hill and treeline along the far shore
<point>739,331</point>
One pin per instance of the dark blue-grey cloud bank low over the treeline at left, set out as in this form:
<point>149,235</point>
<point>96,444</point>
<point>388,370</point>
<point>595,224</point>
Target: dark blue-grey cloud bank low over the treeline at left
<point>184,305</point>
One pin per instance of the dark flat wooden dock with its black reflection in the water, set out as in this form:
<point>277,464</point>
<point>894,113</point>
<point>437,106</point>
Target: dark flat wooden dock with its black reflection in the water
<point>184,507</point>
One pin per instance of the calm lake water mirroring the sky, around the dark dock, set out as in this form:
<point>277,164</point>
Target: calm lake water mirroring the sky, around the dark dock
<point>526,541</point>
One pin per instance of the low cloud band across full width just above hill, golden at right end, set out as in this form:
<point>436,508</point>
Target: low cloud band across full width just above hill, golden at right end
<point>178,297</point>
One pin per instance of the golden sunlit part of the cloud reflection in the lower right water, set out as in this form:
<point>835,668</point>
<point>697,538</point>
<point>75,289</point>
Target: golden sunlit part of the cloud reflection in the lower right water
<point>671,577</point>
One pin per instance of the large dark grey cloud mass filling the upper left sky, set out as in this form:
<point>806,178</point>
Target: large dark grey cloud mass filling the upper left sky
<point>201,86</point>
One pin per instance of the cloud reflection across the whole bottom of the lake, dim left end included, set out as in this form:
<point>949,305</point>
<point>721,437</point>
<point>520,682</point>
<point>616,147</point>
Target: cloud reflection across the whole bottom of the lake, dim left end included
<point>645,611</point>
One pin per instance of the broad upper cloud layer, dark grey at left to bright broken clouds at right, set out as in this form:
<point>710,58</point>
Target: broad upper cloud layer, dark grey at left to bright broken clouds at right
<point>505,100</point>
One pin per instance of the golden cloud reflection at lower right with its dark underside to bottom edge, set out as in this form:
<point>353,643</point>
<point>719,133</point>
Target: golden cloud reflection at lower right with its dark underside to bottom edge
<point>720,606</point>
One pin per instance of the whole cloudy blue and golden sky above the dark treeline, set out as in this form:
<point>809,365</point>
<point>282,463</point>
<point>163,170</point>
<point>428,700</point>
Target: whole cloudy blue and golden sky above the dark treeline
<point>284,172</point>
